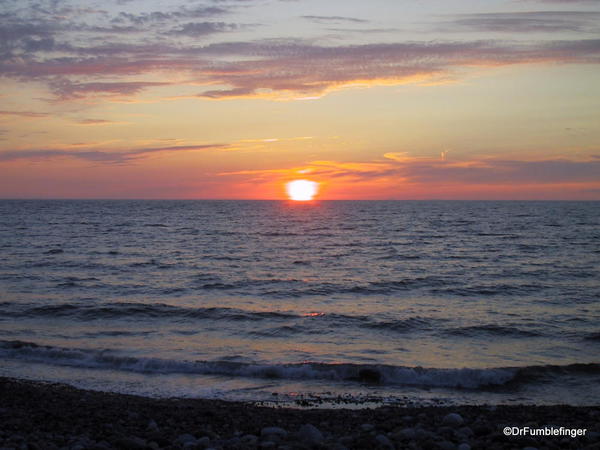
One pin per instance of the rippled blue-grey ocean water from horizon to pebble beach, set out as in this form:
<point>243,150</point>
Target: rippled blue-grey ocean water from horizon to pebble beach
<point>385,301</point>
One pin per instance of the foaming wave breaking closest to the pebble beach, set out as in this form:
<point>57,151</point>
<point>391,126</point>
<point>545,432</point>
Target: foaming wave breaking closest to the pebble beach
<point>465,378</point>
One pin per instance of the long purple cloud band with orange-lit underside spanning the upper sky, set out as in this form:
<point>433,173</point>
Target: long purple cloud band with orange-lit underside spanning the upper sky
<point>284,67</point>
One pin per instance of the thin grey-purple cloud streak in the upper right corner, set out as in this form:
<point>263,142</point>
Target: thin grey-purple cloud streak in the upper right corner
<point>525,22</point>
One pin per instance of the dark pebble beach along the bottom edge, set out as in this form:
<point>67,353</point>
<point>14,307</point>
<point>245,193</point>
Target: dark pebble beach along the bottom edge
<point>44,415</point>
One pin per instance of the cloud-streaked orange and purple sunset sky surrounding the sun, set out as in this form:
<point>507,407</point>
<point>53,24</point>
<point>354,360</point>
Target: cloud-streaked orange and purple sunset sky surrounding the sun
<point>232,99</point>
